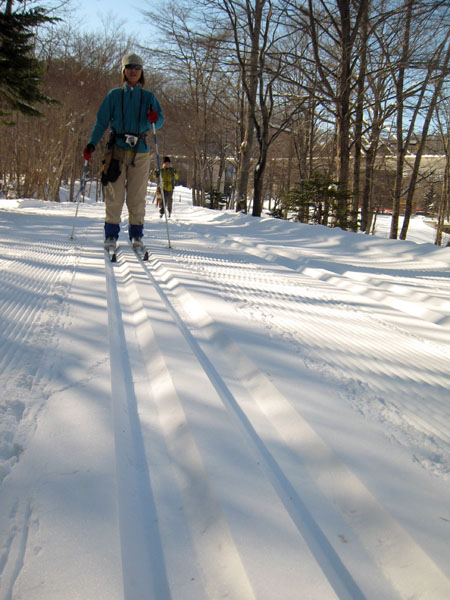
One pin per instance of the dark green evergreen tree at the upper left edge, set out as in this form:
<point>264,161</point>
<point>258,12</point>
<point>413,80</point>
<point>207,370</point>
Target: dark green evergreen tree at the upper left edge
<point>20,71</point>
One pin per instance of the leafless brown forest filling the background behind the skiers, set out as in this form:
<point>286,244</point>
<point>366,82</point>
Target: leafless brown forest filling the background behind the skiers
<point>324,111</point>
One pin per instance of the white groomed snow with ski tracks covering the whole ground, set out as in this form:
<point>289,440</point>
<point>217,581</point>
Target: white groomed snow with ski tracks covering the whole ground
<point>260,411</point>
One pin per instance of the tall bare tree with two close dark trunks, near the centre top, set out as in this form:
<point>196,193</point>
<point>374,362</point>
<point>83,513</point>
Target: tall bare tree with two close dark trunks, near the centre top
<point>260,46</point>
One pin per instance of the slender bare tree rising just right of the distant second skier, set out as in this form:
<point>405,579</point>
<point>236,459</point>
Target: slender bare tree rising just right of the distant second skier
<point>194,61</point>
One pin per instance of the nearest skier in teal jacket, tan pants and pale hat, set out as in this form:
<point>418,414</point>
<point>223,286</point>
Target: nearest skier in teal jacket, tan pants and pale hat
<point>130,111</point>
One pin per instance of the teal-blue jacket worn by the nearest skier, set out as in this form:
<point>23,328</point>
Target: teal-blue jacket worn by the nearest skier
<point>125,111</point>
